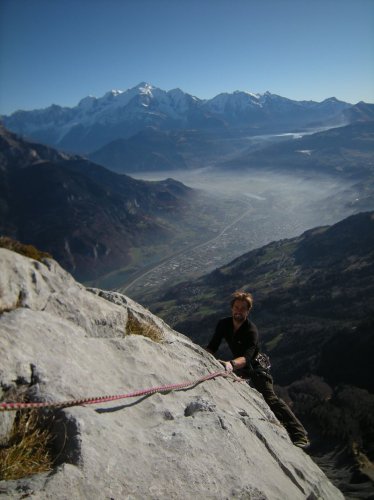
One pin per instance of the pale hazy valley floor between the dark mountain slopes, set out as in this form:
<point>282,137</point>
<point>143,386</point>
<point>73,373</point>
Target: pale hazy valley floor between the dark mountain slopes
<point>264,206</point>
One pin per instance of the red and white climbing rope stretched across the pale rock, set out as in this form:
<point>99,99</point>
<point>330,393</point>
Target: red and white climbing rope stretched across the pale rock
<point>103,399</point>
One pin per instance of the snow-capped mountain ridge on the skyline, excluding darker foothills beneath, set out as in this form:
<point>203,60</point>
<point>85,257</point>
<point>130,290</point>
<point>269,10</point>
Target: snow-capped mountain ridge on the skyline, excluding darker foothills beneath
<point>94,122</point>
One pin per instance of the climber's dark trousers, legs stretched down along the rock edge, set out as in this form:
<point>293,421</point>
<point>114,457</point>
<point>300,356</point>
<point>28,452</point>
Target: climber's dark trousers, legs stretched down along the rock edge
<point>263,382</point>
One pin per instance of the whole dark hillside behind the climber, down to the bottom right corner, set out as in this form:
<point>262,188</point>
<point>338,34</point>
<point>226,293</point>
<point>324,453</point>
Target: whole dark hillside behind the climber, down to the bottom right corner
<point>314,306</point>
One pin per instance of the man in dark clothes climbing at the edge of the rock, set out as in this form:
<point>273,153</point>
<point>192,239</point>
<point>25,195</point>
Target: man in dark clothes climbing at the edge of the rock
<point>241,336</point>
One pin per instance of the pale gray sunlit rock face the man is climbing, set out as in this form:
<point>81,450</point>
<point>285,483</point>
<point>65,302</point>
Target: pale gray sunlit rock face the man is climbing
<point>216,440</point>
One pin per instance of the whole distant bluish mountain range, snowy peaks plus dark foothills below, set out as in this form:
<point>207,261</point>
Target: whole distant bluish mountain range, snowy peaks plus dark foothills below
<point>147,128</point>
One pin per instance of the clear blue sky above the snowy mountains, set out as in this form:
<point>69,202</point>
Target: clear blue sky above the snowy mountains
<point>59,51</point>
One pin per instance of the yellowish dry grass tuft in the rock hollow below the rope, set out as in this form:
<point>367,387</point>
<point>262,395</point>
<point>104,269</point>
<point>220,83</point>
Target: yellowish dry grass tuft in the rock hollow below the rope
<point>27,450</point>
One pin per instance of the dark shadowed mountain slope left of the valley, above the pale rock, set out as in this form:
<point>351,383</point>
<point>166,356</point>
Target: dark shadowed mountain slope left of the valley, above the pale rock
<point>87,217</point>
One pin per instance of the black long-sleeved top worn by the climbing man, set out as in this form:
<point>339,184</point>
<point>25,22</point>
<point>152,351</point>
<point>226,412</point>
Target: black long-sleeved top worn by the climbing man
<point>244,342</point>
